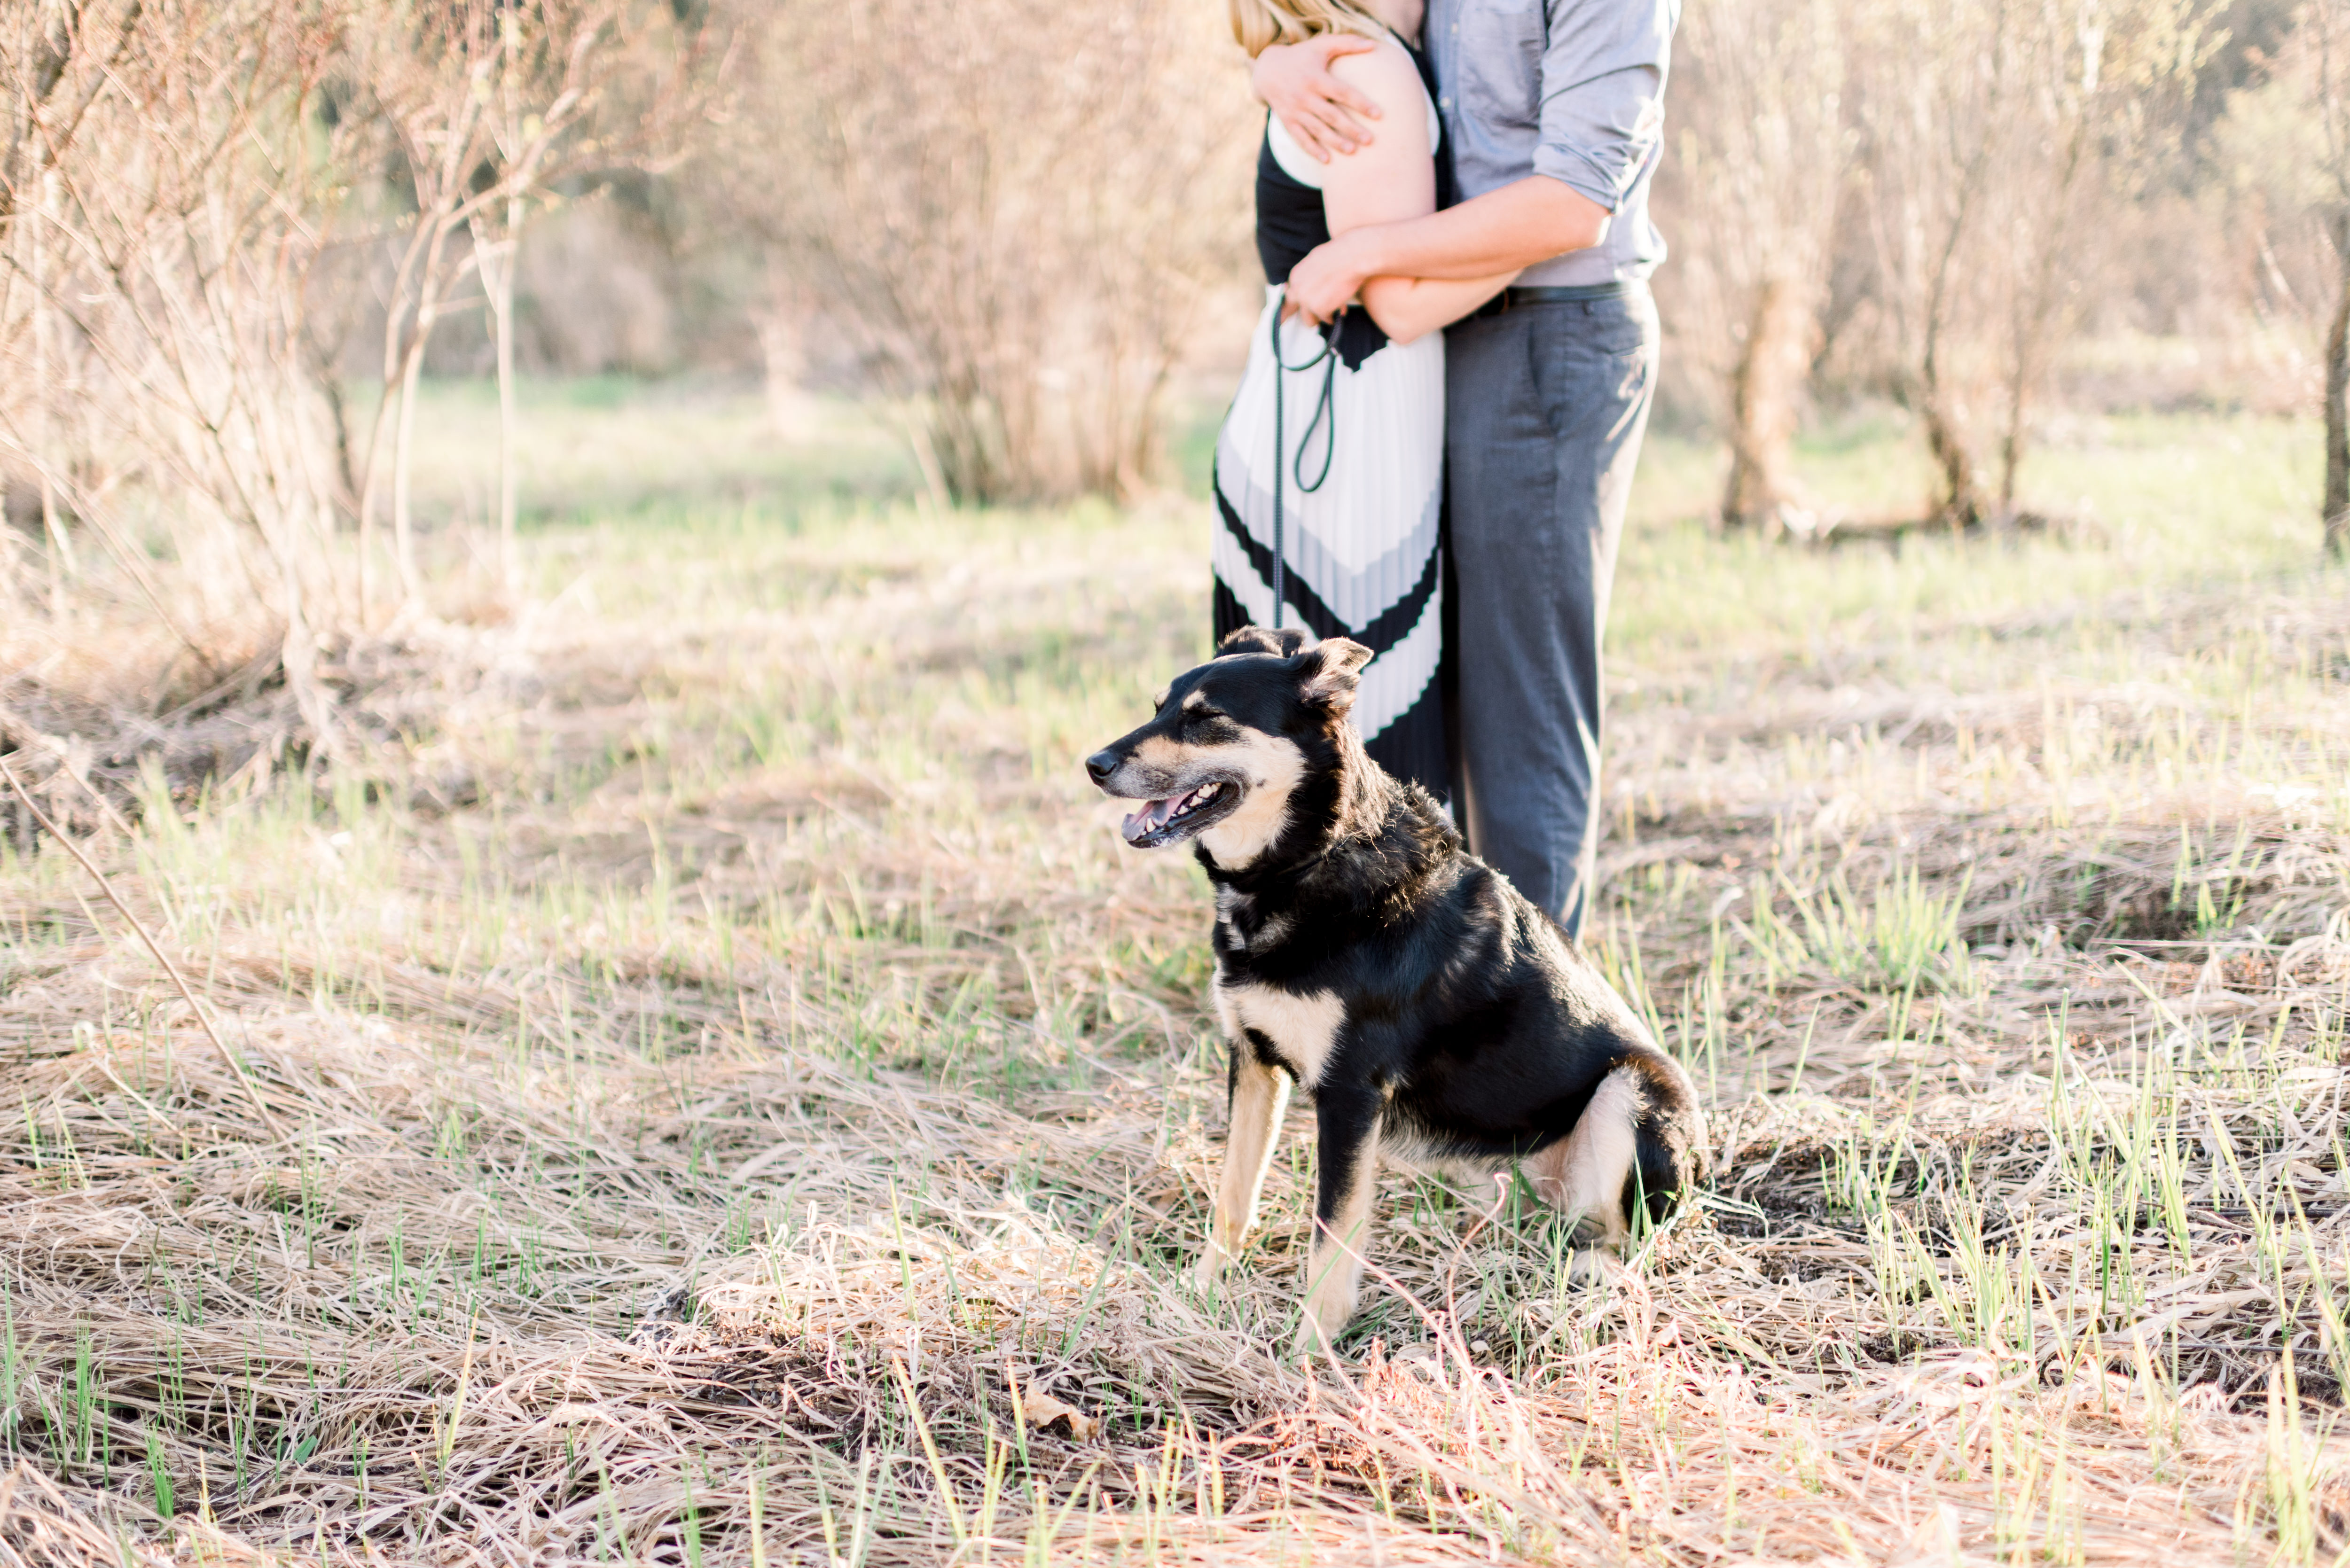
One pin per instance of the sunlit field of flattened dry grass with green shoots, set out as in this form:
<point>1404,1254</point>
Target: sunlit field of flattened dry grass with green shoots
<point>709,1085</point>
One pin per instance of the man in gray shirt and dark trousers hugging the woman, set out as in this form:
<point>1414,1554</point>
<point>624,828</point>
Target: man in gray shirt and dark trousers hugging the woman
<point>1555,119</point>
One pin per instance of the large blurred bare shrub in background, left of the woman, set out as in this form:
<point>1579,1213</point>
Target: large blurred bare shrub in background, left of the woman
<point>1012,203</point>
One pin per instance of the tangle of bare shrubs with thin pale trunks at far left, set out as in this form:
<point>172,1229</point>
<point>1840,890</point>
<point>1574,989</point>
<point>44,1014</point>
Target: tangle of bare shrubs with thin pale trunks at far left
<point>173,434</point>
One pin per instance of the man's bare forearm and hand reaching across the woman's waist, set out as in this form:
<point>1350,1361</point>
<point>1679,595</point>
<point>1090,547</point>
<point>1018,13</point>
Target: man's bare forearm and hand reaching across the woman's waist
<point>1493,234</point>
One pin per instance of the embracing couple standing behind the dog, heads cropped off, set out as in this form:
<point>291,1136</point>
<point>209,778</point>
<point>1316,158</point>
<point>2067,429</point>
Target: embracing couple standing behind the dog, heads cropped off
<point>1444,403</point>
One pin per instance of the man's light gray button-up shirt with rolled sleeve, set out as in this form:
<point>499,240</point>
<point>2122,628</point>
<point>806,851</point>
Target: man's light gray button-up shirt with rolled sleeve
<point>1564,88</point>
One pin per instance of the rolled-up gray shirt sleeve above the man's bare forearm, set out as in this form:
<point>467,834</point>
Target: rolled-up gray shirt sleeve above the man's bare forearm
<point>1604,69</point>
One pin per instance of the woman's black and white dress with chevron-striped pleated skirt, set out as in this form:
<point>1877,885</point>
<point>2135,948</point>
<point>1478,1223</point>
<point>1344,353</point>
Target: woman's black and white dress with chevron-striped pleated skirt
<point>1367,431</point>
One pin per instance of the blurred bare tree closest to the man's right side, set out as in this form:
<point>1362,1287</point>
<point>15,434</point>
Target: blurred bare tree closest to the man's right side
<point>1764,159</point>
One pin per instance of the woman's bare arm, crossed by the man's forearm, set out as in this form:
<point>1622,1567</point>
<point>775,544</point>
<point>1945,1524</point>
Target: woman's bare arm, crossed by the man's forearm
<point>1395,180</point>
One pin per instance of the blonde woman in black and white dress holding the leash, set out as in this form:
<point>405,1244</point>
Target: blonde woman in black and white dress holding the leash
<point>1329,474</point>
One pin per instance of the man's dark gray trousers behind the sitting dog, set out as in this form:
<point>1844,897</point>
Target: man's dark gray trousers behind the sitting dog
<point>1545,408</point>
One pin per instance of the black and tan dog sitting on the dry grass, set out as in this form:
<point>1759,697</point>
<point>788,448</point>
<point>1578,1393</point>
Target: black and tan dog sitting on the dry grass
<point>1430,1010</point>
